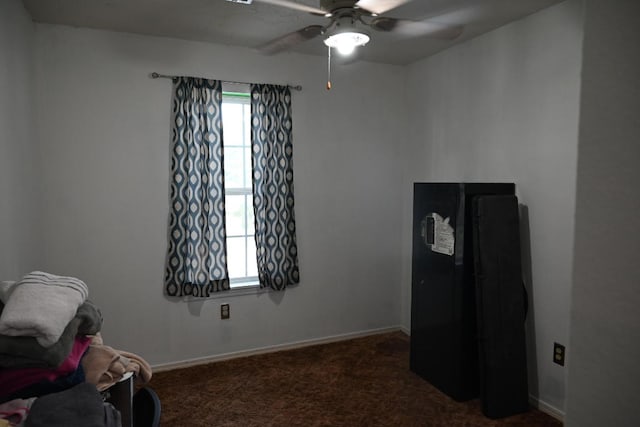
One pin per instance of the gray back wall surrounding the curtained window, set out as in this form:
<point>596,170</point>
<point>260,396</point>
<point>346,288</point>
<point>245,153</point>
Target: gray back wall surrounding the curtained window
<point>103,126</point>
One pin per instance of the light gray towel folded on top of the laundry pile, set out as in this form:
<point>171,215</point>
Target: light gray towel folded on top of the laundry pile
<point>41,305</point>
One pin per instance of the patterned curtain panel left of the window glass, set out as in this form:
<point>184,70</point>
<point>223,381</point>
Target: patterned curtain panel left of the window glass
<point>196,260</point>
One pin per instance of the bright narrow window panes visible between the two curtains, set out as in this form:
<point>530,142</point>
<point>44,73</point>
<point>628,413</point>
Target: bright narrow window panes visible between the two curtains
<point>241,244</point>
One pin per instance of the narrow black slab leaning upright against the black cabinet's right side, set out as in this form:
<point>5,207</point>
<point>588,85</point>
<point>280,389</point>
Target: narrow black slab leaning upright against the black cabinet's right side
<point>500,306</point>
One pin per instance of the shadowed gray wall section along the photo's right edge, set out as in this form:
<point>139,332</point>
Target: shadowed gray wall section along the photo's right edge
<point>604,377</point>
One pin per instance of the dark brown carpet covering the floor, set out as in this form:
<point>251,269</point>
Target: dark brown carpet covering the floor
<point>360,382</point>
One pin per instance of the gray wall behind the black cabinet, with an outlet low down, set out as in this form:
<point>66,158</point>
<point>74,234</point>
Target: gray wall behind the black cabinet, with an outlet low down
<point>504,107</point>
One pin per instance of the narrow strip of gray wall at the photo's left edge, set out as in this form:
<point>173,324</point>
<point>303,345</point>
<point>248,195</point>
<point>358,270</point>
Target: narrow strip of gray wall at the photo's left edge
<point>20,244</point>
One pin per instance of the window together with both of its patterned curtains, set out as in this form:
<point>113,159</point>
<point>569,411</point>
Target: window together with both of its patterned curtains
<point>209,237</point>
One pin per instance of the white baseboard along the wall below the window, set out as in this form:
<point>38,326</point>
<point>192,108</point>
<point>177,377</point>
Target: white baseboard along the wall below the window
<point>270,349</point>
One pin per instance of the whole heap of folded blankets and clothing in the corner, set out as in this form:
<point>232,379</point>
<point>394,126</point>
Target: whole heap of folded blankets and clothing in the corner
<point>51,351</point>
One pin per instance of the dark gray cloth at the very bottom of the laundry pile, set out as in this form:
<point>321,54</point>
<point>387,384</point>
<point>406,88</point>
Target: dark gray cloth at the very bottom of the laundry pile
<point>79,406</point>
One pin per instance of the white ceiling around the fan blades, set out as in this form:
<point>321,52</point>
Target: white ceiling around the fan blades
<point>251,26</point>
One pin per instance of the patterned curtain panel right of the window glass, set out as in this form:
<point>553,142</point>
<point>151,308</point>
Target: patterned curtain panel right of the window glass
<point>272,151</point>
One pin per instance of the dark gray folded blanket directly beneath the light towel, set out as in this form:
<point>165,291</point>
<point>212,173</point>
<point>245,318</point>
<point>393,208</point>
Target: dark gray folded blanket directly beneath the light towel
<point>24,352</point>
